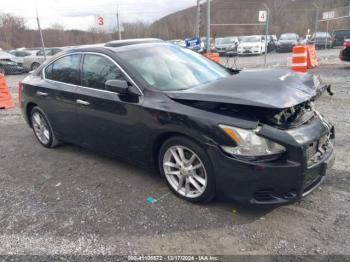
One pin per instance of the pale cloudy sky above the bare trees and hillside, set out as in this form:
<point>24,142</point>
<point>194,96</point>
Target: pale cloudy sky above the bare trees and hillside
<point>83,14</point>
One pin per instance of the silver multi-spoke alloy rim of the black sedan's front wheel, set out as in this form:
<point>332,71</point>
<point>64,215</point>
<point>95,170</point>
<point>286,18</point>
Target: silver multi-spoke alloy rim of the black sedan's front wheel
<point>185,171</point>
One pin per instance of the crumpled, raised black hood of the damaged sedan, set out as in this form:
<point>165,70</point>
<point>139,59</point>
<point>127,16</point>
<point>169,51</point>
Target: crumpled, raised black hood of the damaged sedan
<point>271,88</point>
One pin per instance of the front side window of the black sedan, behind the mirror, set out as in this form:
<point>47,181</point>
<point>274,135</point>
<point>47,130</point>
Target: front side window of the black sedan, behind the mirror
<point>97,70</point>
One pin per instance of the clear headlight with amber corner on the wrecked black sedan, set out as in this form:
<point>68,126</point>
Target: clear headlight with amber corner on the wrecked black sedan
<point>249,144</point>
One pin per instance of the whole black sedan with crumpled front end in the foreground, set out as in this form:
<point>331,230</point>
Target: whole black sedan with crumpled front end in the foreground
<point>248,136</point>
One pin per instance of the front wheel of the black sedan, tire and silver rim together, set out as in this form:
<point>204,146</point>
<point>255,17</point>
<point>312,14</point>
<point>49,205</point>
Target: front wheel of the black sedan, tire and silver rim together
<point>197,178</point>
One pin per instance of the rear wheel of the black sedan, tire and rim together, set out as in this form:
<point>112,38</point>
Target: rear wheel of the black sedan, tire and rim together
<point>42,128</point>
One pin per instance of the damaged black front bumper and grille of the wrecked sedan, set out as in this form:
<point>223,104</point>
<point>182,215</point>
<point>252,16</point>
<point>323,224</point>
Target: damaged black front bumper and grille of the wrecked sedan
<point>285,180</point>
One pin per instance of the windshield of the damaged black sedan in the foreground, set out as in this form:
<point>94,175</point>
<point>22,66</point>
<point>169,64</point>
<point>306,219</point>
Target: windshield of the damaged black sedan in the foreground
<point>169,67</point>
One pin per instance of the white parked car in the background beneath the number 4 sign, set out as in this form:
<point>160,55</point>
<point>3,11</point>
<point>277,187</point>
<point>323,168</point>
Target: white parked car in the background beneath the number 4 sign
<point>251,45</point>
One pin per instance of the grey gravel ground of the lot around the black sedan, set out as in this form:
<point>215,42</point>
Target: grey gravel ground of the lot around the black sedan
<point>71,201</point>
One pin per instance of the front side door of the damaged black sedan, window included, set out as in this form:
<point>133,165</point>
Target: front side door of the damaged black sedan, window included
<point>106,120</point>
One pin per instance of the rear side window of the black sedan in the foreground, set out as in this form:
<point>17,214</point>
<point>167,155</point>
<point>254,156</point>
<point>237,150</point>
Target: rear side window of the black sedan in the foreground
<point>65,69</point>
